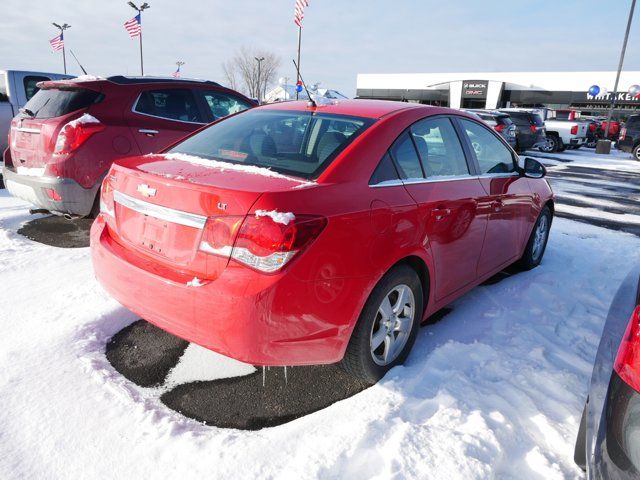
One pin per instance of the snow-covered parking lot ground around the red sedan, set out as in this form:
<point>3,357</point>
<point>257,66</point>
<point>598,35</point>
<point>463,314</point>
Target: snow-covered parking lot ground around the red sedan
<point>493,389</point>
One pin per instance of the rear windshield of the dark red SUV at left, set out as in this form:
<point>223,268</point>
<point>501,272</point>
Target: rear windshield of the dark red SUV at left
<point>53,102</point>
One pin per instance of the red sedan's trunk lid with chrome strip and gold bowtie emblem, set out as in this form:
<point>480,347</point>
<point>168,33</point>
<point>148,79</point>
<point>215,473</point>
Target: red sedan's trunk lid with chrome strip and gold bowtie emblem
<point>161,207</point>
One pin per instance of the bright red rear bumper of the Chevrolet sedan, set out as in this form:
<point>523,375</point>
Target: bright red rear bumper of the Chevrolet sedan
<point>254,318</point>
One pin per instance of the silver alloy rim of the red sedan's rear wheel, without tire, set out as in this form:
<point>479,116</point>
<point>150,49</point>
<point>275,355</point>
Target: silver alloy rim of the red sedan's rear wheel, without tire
<point>392,325</point>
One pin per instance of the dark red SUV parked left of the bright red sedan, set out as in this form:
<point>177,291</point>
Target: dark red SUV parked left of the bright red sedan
<point>66,137</point>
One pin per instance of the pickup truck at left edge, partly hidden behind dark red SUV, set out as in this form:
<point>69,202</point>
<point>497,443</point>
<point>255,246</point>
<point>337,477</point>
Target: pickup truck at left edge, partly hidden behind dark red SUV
<point>16,89</point>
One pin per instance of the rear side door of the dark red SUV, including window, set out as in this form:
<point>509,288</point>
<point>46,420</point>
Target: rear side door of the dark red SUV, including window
<point>161,116</point>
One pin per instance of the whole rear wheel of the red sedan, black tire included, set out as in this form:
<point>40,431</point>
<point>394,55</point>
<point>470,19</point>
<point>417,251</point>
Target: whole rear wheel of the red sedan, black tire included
<point>366,363</point>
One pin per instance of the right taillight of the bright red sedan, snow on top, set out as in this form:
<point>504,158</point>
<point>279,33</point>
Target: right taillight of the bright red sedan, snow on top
<point>260,242</point>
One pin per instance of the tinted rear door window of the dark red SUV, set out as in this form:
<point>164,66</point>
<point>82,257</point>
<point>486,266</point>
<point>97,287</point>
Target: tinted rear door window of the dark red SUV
<point>173,104</point>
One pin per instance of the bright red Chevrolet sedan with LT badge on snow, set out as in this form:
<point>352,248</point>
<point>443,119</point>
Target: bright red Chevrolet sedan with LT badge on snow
<point>296,234</point>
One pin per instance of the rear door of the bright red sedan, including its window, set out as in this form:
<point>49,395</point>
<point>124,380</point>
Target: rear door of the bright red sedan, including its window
<point>431,160</point>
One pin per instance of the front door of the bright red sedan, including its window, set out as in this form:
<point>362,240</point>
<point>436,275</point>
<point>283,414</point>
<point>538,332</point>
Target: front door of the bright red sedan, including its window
<point>507,197</point>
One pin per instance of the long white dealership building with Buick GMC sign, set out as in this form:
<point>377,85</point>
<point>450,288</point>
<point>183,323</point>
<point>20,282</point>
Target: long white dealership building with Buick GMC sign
<point>505,89</point>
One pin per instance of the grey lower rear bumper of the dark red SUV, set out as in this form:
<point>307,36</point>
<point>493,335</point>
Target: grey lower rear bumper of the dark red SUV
<point>76,200</point>
